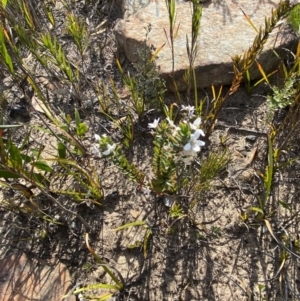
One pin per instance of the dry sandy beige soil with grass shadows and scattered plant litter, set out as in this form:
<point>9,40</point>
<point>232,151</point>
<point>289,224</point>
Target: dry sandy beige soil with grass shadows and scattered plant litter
<point>216,257</point>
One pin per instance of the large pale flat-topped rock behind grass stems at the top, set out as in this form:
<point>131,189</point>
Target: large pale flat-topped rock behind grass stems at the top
<point>224,33</point>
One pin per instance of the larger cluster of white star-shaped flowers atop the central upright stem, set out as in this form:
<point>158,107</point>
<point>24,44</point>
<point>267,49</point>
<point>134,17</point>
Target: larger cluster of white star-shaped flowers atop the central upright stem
<point>189,134</point>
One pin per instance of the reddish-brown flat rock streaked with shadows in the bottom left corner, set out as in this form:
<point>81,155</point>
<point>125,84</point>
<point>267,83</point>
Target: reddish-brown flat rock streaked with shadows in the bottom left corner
<point>23,279</point>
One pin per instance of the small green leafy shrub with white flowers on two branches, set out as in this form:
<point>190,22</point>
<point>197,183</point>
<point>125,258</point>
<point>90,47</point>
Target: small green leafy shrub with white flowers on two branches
<point>175,148</point>
